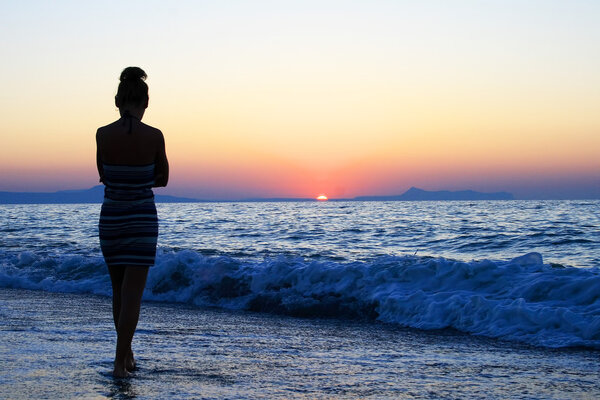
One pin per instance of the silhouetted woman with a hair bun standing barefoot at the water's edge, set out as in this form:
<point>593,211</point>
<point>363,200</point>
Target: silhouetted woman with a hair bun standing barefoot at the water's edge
<point>131,160</point>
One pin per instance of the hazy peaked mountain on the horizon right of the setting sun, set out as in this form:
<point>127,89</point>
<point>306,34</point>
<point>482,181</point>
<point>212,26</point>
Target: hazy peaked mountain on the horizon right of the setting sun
<point>416,194</point>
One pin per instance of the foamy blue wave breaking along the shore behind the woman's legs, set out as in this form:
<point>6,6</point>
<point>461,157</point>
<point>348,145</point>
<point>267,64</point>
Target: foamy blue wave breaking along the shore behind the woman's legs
<point>522,299</point>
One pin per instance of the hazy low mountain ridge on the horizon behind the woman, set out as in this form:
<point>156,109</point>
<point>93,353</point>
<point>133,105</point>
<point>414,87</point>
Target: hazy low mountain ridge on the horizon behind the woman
<point>92,195</point>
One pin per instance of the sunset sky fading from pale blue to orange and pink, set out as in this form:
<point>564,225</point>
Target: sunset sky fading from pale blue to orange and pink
<point>300,98</point>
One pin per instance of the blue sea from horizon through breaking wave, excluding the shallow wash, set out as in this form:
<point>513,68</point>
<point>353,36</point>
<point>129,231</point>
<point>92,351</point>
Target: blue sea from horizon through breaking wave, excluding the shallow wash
<point>523,271</point>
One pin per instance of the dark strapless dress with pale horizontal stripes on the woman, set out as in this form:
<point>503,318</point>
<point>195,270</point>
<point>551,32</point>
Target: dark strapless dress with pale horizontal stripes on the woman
<point>128,222</point>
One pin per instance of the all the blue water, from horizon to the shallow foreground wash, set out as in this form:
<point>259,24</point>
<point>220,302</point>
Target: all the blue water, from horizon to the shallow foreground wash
<point>334,299</point>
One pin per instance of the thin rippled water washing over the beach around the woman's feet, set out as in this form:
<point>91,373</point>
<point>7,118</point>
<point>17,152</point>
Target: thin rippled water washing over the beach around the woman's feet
<point>60,346</point>
